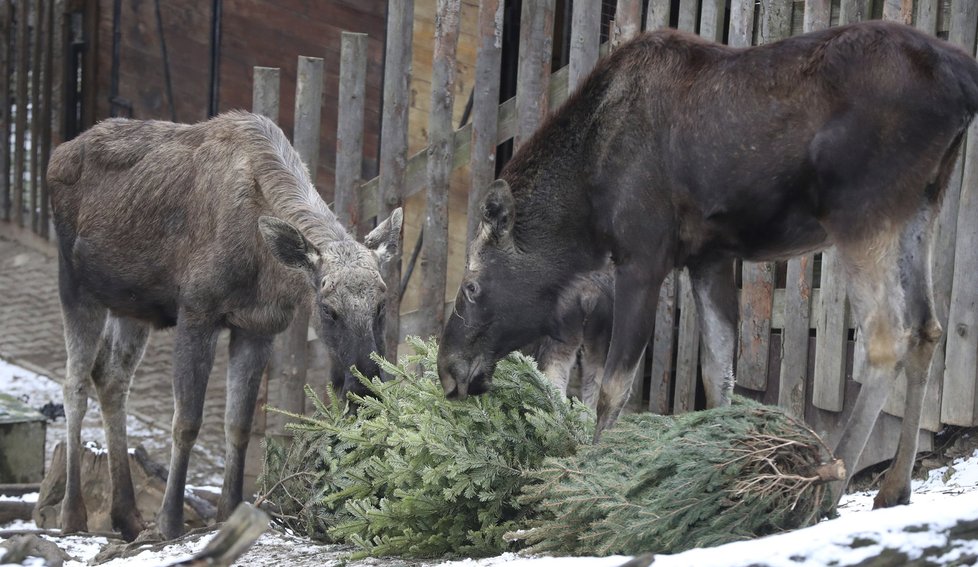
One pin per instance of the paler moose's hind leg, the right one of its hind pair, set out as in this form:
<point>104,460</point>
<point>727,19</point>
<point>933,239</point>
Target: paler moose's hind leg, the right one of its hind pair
<point>123,347</point>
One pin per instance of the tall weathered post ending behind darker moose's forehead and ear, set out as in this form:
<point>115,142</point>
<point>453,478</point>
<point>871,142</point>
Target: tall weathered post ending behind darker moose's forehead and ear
<point>485,107</point>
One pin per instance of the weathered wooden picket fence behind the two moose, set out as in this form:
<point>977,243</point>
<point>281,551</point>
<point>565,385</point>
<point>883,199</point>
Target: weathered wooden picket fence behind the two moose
<point>797,347</point>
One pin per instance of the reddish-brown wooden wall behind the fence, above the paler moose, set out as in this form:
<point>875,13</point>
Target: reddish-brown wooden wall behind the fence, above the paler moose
<point>269,33</point>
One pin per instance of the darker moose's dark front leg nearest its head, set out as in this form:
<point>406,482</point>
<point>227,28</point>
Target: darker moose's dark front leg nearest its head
<point>636,295</point>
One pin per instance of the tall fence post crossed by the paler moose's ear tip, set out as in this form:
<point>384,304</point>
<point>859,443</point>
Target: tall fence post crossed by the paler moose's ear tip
<point>393,149</point>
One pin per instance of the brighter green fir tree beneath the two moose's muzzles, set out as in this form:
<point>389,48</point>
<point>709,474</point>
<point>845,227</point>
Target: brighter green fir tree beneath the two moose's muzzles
<point>413,474</point>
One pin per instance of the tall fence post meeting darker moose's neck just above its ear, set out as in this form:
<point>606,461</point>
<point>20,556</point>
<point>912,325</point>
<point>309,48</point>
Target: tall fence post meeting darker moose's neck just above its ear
<point>533,74</point>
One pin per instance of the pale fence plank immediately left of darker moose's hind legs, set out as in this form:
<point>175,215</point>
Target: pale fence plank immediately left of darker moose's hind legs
<point>828,384</point>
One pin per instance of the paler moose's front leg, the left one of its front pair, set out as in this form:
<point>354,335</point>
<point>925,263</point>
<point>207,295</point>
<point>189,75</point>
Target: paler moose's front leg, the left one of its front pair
<point>193,357</point>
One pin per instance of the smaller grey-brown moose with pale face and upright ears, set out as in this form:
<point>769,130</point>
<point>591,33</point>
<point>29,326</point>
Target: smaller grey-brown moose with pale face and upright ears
<point>200,227</point>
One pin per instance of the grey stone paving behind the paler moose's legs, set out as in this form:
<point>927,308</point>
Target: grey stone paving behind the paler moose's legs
<point>31,335</point>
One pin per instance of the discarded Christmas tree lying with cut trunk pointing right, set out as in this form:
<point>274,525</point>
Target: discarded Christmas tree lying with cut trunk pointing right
<point>665,484</point>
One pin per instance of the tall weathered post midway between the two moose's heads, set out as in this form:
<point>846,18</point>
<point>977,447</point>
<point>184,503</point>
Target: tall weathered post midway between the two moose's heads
<point>434,249</point>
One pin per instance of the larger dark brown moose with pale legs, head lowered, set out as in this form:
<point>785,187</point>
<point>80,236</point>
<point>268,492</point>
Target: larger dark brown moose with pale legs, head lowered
<point>677,152</point>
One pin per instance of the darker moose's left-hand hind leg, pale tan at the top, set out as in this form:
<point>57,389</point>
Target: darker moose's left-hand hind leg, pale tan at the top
<point>877,299</point>
